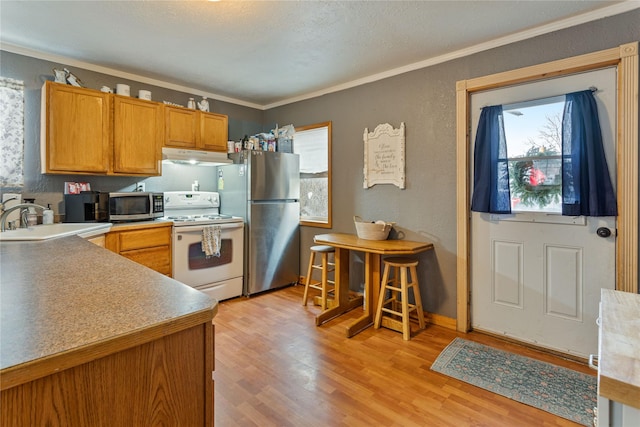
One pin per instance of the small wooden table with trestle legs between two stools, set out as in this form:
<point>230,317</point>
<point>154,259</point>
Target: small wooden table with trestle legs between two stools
<point>373,250</point>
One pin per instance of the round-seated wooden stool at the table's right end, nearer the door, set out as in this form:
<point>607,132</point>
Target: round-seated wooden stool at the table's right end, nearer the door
<point>399,285</point>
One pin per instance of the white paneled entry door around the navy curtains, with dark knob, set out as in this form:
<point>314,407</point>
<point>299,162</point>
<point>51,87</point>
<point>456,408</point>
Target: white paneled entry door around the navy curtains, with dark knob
<point>536,277</point>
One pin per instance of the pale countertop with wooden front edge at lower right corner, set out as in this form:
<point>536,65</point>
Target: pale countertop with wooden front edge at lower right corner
<point>619,370</point>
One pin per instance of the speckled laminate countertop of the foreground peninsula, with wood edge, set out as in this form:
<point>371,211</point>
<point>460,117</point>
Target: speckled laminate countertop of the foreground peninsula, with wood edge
<point>67,298</point>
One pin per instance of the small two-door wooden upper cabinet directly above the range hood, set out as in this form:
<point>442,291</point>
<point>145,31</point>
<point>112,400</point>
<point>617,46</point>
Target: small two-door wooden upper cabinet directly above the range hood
<point>186,128</point>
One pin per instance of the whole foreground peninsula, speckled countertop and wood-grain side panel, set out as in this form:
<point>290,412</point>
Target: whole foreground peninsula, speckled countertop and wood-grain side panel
<point>91,338</point>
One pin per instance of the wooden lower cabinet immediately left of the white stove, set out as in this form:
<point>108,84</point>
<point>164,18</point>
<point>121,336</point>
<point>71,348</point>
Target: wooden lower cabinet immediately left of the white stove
<point>146,244</point>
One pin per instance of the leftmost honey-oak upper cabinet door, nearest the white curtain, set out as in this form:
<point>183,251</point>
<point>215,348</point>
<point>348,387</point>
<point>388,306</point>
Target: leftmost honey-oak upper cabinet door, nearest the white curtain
<point>76,130</point>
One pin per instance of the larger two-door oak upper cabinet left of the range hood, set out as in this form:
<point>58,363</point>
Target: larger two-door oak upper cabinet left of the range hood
<point>85,131</point>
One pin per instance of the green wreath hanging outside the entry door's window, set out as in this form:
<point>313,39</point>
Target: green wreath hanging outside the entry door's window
<point>527,184</point>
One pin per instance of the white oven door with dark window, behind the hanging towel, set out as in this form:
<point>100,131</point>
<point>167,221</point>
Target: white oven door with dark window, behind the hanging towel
<point>193,268</point>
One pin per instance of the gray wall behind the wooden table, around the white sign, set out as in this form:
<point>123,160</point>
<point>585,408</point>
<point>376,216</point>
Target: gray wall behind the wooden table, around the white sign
<point>425,101</point>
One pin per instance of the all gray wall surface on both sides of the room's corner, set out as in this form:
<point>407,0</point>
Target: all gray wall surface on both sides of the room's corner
<point>424,100</point>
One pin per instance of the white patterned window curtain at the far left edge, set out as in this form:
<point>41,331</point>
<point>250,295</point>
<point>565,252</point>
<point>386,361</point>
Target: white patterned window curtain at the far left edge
<point>11,132</point>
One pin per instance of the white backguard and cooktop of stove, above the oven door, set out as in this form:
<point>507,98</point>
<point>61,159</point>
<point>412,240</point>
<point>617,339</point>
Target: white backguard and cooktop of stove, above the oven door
<point>195,208</point>
